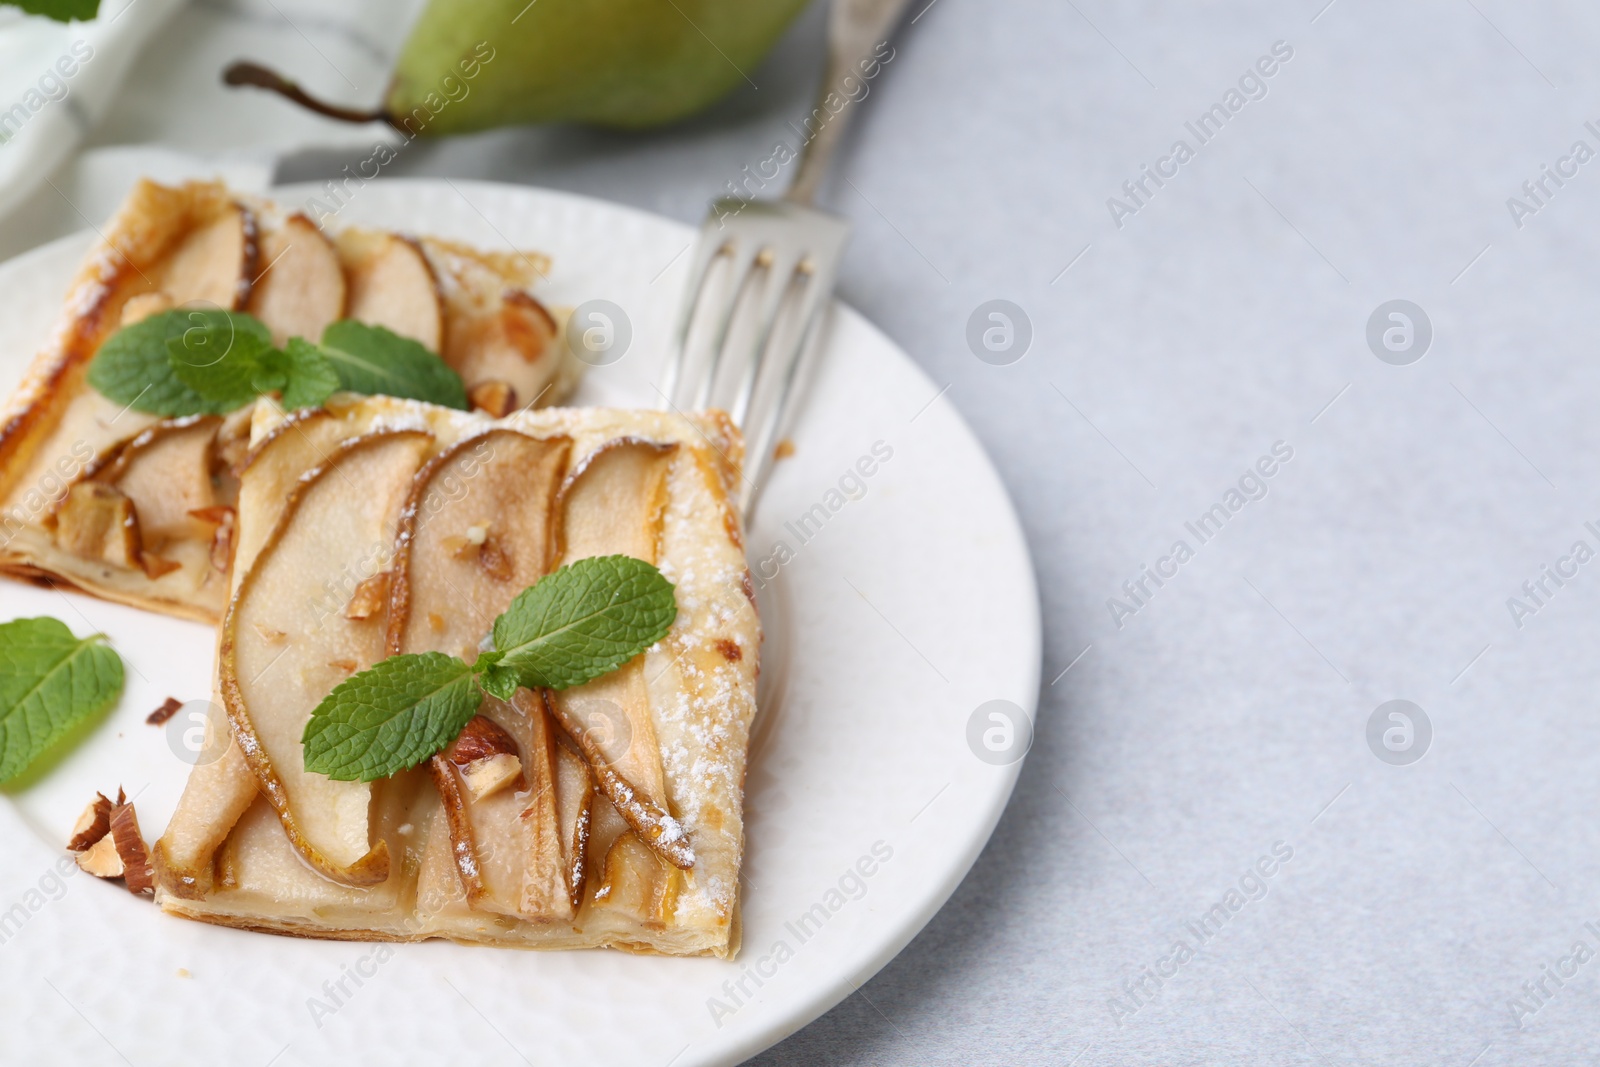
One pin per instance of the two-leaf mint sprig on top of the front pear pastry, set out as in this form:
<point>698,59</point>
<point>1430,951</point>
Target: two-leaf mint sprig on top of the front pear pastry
<point>577,625</point>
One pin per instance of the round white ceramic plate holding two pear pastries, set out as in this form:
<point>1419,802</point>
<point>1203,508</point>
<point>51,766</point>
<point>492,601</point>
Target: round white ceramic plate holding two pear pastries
<point>900,613</point>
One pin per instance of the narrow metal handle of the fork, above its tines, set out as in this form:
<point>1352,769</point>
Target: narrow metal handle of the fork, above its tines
<point>855,31</point>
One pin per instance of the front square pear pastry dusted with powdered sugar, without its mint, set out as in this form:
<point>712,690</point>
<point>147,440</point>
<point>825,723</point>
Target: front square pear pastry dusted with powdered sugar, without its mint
<point>609,815</point>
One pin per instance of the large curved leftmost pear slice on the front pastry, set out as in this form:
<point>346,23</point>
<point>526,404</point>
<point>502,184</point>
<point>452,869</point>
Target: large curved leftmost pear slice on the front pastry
<point>271,689</point>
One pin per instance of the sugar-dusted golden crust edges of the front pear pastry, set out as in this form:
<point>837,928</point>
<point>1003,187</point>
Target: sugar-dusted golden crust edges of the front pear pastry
<point>702,700</point>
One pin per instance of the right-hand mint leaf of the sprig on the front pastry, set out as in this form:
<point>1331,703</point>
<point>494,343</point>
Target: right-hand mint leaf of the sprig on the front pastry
<point>585,621</point>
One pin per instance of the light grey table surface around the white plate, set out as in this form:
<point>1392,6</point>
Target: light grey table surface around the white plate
<point>1223,716</point>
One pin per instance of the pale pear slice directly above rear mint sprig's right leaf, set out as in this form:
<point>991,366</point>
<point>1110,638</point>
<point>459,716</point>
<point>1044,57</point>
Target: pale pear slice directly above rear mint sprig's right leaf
<point>393,286</point>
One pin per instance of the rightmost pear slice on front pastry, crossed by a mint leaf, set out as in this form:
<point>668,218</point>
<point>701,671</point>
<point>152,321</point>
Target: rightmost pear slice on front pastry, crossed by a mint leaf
<point>612,506</point>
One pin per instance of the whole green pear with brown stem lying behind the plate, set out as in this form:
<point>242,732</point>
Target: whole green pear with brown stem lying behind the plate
<point>473,65</point>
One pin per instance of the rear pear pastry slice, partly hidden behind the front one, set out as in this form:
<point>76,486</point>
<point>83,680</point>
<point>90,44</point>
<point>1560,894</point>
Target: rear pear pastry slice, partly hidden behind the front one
<point>142,510</point>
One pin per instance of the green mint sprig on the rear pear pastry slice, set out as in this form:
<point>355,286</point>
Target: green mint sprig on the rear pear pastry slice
<point>214,362</point>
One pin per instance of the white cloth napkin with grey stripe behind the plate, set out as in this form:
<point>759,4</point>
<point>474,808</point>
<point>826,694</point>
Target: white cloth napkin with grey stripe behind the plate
<point>150,102</point>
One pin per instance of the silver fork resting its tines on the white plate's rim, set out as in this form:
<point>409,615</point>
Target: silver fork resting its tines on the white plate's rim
<point>764,271</point>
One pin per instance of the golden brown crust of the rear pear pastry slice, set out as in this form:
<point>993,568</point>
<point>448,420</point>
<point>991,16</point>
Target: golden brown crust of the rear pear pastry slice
<point>55,428</point>
